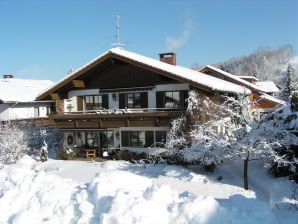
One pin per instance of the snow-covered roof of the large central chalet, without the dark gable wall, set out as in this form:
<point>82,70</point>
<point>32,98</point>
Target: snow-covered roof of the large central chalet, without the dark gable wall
<point>176,72</point>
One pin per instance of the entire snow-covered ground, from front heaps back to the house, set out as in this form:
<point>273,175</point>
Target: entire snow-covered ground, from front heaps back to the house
<point>121,192</point>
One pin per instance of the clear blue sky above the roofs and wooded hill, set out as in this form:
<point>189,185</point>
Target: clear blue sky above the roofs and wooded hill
<point>42,39</point>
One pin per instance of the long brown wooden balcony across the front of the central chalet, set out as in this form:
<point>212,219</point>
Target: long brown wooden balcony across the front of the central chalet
<point>98,119</point>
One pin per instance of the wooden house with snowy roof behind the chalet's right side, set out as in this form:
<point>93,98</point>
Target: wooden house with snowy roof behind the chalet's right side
<point>262,97</point>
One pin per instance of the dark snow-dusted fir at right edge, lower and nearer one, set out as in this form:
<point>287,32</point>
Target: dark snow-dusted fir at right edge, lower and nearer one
<point>280,131</point>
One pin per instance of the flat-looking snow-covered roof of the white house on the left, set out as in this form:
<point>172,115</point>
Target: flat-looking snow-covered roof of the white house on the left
<point>22,90</point>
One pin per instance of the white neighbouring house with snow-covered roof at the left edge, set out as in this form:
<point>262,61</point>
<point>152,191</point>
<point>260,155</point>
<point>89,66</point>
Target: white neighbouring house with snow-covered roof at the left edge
<point>17,99</point>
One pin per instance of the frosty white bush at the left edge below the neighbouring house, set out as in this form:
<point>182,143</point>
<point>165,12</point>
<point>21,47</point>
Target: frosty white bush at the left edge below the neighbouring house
<point>13,143</point>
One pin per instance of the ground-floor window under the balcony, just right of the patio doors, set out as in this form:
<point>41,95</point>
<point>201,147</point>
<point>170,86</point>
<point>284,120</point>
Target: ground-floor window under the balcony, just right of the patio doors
<point>137,138</point>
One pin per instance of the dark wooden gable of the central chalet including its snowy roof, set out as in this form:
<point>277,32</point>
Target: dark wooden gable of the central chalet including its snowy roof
<point>123,69</point>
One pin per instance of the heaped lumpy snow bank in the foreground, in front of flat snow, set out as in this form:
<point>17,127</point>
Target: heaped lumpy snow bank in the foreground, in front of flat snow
<point>31,195</point>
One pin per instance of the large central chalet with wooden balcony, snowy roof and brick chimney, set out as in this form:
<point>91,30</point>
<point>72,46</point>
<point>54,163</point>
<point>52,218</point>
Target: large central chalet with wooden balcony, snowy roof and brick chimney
<point>125,100</point>
